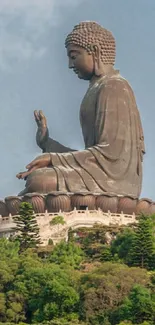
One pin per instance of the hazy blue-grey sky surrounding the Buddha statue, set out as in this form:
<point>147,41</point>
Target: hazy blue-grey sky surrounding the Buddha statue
<point>34,74</point>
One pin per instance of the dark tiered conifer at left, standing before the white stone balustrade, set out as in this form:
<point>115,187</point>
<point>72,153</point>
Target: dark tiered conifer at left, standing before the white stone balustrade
<point>26,227</point>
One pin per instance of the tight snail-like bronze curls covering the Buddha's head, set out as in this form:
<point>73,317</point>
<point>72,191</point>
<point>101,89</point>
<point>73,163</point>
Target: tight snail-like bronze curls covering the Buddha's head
<point>89,33</point>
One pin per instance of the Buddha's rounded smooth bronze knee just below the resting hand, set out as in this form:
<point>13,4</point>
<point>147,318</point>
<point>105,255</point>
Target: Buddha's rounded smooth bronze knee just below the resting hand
<point>42,180</point>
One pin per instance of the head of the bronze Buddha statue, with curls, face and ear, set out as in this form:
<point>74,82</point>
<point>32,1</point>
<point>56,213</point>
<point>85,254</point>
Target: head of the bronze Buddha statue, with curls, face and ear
<point>90,49</point>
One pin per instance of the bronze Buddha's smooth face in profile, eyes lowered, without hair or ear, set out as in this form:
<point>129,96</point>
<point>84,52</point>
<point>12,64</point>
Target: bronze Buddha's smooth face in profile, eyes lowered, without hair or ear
<point>80,61</point>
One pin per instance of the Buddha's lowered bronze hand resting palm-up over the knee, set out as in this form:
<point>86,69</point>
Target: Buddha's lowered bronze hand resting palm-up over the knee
<point>39,162</point>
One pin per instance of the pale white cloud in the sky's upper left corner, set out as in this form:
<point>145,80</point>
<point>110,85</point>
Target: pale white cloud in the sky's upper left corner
<point>23,24</point>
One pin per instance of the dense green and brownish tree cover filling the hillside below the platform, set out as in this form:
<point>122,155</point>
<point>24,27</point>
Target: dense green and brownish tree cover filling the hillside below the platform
<point>85,281</point>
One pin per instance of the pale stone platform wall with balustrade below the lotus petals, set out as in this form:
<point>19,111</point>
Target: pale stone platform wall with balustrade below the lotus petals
<point>74,219</point>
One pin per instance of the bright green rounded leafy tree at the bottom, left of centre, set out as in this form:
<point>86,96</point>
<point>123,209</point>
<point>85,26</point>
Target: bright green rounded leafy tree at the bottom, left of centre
<point>49,291</point>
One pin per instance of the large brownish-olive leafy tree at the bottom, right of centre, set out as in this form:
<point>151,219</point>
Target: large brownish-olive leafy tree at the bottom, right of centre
<point>104,288</point>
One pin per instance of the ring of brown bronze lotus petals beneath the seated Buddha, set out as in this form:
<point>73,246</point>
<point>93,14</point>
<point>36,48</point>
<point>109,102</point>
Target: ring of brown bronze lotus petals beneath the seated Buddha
<point>56,201</point>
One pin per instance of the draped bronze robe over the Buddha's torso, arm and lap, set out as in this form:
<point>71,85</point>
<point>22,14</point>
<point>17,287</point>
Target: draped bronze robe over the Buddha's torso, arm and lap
<point>111,162</point>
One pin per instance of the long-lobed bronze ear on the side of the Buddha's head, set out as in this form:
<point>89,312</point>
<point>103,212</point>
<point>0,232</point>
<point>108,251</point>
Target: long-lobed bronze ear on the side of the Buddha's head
<point>98,64</point>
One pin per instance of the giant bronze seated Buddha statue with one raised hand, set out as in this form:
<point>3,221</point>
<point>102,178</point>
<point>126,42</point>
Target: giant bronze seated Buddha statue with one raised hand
<point>111,161</point>
